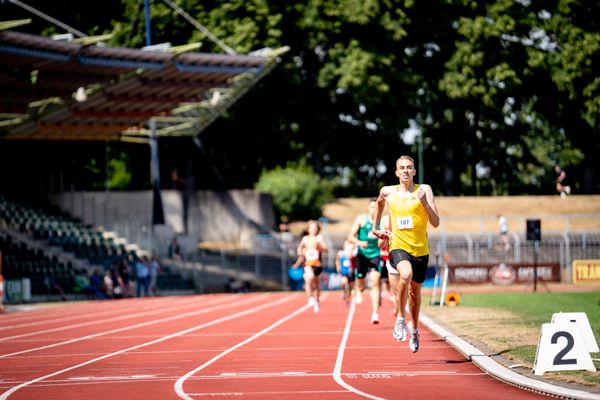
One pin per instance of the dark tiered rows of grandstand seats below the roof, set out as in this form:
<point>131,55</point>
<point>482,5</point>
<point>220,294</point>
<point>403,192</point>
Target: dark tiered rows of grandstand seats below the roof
<point>49,248</point>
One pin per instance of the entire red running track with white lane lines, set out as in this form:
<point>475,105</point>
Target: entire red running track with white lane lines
<point>252,346</point>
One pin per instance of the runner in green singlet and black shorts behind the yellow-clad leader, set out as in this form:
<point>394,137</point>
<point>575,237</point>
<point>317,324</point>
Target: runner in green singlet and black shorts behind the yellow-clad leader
<point>368,257</point>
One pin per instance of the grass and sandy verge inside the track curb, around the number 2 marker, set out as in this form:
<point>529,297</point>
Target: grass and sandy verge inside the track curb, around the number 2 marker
<point>510,324</point>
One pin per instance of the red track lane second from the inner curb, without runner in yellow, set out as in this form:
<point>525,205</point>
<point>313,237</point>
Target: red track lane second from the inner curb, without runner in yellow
<point>294,360</point>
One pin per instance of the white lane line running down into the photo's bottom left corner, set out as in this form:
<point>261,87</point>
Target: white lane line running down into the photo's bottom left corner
<point>217,321</point>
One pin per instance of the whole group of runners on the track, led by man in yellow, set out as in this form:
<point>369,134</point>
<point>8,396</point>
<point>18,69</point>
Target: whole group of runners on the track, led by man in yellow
<point>390,250</point>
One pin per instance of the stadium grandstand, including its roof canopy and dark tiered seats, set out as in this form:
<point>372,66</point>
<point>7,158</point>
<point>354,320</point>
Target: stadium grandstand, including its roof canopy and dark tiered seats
<point>68,88</point>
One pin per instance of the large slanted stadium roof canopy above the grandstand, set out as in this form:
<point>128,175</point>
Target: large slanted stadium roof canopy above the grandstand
<point>83,90</point>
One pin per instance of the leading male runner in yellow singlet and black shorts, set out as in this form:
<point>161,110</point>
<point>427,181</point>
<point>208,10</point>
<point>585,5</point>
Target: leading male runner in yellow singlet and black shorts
<point>411,207</point>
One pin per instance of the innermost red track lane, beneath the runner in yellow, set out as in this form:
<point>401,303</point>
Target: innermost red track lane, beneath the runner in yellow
<point>387,369</point>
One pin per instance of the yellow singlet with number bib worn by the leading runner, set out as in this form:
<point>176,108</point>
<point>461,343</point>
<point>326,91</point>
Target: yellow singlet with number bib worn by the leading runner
<point>409,223</point>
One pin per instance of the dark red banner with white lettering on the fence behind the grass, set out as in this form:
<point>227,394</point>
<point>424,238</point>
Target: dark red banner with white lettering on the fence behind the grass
<point>502,273</point>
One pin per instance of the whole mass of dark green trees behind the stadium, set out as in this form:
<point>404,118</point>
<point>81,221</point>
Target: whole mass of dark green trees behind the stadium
<point>498,91</point>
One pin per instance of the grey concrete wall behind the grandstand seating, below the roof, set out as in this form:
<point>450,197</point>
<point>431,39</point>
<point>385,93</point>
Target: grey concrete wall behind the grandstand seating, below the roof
<point>234,216</point>
